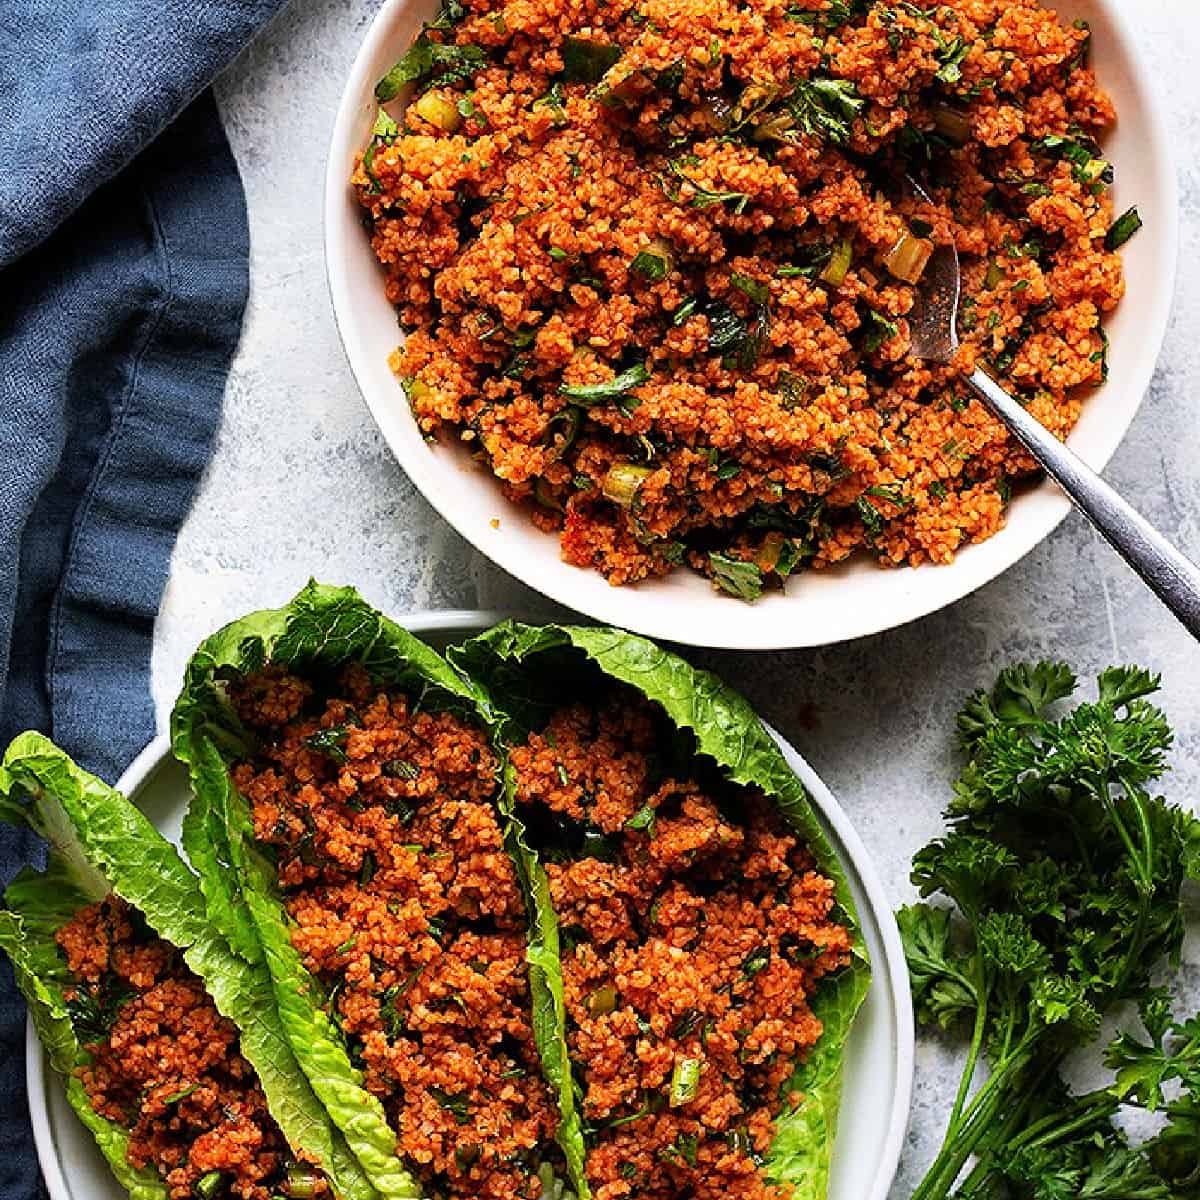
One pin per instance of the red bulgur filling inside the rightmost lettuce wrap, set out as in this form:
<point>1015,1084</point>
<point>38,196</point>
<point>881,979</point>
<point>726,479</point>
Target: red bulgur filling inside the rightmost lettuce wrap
<point>699,933</point>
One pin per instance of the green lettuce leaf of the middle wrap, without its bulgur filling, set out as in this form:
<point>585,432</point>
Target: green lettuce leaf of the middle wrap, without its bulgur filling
<point>323,628</point>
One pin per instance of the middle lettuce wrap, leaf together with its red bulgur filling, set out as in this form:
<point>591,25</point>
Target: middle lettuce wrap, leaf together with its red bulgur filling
<point>379,945</point>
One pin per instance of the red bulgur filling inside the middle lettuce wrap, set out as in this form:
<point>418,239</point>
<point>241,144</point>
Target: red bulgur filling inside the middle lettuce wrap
<point>406,905</point>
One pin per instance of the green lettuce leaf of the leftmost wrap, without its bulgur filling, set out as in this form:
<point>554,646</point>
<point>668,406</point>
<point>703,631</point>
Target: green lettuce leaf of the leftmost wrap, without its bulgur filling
<point>100,843</point>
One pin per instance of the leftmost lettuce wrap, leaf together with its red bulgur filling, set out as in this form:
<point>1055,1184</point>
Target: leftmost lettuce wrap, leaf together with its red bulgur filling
<point>111,946</point>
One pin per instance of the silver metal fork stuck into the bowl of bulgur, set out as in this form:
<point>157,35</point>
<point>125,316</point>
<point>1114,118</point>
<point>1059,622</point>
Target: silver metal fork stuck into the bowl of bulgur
<point>1171,575</point>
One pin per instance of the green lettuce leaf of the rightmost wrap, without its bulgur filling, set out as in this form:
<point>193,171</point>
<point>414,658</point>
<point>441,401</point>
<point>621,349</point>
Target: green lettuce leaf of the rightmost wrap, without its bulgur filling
<point>529,671</point>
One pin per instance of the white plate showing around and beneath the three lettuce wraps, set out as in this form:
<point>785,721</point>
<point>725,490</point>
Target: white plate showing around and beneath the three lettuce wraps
<point>879,1059</point>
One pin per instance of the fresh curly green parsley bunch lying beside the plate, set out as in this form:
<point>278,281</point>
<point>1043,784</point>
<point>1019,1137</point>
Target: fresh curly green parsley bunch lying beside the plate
<point>1065,872</point>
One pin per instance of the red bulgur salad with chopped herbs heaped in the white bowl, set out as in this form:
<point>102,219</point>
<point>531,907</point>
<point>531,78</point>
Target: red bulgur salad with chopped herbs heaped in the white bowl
<point>655,262</point>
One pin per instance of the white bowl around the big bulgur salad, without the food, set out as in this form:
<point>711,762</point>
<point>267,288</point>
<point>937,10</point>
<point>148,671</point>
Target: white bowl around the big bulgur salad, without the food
<point>819,608</point>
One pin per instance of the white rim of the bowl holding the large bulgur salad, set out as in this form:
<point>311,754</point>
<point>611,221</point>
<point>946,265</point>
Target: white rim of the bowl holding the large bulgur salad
<point>776,622</point>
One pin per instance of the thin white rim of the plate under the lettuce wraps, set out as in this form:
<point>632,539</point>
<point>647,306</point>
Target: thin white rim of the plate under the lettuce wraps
<point>892,975</point>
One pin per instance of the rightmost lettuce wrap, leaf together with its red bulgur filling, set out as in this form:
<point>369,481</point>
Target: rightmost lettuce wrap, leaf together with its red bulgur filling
<point>586,818</point>
